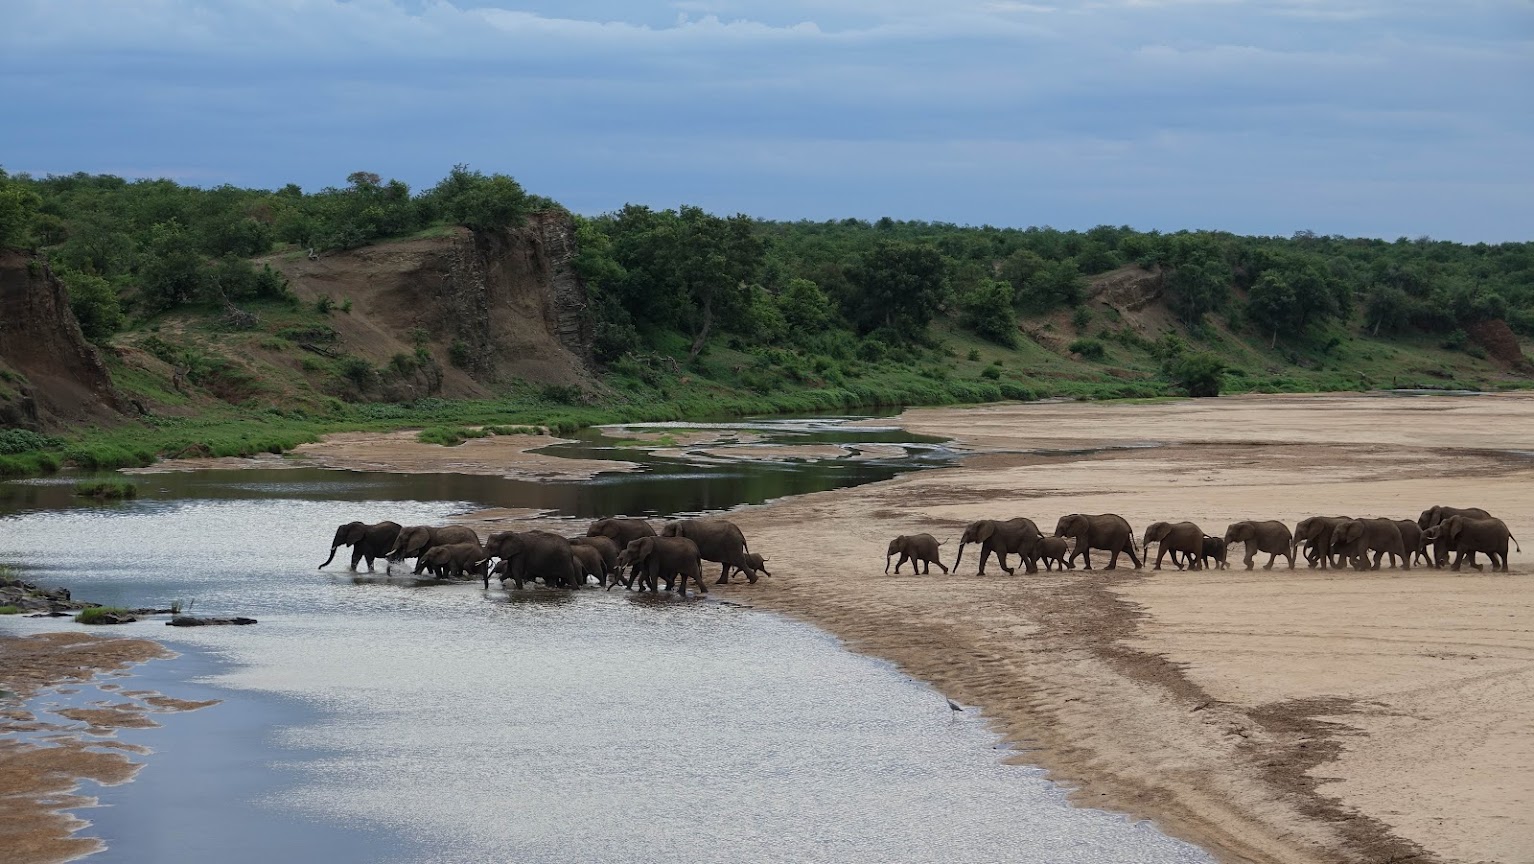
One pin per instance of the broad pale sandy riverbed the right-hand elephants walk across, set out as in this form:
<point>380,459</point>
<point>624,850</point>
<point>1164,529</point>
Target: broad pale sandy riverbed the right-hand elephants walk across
<point>1269,716</point>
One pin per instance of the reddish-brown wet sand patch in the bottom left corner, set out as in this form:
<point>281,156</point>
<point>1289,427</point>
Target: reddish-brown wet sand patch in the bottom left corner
<point>39,783</point>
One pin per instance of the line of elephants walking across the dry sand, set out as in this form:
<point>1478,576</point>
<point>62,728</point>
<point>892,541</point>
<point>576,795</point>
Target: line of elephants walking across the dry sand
<point>1325,541</point>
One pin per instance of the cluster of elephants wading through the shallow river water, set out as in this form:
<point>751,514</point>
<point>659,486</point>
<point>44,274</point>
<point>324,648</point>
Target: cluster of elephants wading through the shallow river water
<point>613,552</point>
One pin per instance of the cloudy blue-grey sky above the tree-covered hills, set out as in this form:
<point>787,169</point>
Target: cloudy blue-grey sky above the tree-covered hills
<point>1358,117</point>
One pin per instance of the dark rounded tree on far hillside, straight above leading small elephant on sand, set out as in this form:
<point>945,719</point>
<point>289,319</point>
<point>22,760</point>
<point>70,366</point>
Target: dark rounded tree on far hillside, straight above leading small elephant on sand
<point>898,286</point>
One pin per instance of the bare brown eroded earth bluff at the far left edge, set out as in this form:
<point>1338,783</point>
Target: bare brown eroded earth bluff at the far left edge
<point>50,375</point>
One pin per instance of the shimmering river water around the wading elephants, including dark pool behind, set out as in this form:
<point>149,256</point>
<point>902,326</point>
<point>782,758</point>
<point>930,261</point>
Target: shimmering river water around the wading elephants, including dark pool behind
<point>367,719</point>
